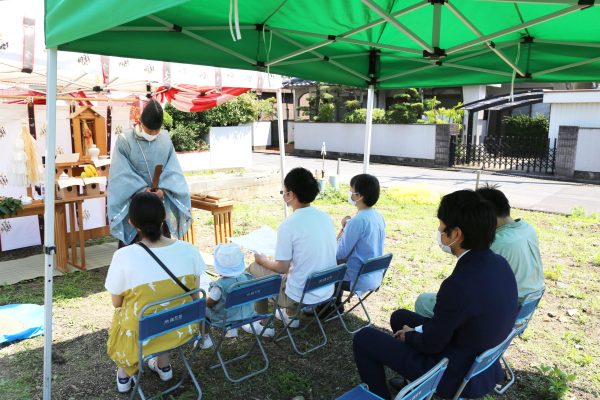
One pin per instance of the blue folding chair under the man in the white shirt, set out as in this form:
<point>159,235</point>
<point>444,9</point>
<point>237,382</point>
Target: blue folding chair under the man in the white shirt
<point>316,281</point>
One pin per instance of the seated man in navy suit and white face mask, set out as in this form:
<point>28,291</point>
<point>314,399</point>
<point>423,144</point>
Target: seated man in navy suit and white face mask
<point>475,309</point>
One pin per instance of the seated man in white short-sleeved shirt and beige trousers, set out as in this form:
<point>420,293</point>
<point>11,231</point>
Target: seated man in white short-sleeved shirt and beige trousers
<point>305,244</point>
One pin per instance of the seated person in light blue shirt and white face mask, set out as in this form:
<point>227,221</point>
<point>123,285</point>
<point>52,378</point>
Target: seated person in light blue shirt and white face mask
<point>362,236</point>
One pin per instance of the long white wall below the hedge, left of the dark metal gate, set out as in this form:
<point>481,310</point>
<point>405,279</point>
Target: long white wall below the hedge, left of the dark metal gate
<point>410,141</point>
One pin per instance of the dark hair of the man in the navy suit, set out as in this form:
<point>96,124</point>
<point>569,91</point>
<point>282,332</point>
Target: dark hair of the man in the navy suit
<point>474,215</point>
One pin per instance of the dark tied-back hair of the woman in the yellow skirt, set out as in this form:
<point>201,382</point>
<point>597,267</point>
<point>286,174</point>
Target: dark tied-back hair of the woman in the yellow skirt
<point>147,214</point>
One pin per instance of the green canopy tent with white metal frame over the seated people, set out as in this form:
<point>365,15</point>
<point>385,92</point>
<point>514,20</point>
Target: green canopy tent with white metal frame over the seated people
<point>364,43</point>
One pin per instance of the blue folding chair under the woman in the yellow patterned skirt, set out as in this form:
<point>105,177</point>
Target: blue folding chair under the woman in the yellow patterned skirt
<point>156,324</point>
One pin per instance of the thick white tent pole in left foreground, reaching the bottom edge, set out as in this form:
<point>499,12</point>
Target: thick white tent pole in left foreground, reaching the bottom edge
<point>49,249</point>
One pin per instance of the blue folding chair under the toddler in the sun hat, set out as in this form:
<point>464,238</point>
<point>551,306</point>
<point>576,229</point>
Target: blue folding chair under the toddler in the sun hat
<point>239,295</point>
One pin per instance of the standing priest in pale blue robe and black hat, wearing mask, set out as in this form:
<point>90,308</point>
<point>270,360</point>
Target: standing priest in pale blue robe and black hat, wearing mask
<point>137,152</point>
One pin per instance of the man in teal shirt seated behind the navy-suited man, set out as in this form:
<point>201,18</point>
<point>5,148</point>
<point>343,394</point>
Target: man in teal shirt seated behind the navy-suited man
<point>516,241</point>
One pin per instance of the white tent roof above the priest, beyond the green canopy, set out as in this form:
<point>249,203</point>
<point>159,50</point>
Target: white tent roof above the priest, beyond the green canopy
<point>81,71</point>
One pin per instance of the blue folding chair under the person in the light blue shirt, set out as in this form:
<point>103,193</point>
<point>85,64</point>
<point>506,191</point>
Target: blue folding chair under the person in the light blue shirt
<point>370,266</point>
